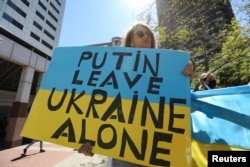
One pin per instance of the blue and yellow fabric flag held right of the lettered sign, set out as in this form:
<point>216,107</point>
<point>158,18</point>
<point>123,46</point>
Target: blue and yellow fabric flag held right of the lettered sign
<point>220,120</point>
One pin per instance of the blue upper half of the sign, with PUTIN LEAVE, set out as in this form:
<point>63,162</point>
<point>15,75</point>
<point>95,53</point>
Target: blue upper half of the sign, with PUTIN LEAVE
<point>149,73</point>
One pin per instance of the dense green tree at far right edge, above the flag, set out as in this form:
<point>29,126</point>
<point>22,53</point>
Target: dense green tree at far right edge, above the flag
<point>233,61</point>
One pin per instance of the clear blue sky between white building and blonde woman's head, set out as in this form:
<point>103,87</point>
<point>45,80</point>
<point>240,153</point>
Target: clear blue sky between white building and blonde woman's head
<point>89,22</point>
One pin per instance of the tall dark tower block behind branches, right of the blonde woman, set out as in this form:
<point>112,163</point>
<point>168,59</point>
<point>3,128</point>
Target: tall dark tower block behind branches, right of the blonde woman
<point>206,18</point>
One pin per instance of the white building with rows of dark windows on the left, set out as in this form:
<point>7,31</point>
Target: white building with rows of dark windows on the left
<point>29,32</point>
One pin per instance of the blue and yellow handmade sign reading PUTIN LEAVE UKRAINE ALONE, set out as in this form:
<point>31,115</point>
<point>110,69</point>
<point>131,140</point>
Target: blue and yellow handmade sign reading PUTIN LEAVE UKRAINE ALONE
<point>131,104</point>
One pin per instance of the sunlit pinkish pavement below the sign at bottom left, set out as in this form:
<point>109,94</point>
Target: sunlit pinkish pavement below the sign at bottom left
<point>55,156</point>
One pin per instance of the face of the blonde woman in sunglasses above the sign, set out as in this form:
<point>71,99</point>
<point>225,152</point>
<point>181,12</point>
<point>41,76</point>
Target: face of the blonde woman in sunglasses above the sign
<point>141,38</point>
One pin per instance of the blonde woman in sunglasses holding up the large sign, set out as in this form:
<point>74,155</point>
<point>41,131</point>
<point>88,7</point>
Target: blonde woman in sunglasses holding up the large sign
<point>139,36</point>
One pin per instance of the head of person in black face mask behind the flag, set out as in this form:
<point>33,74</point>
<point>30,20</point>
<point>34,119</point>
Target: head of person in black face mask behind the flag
<point>208,81</point>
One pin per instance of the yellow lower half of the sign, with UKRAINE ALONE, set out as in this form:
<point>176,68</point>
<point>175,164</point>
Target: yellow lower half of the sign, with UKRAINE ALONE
<point>136,131</point>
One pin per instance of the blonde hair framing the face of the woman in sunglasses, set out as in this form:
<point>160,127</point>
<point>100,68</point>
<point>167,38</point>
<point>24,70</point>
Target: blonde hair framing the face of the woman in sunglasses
<point>129,35</point>
